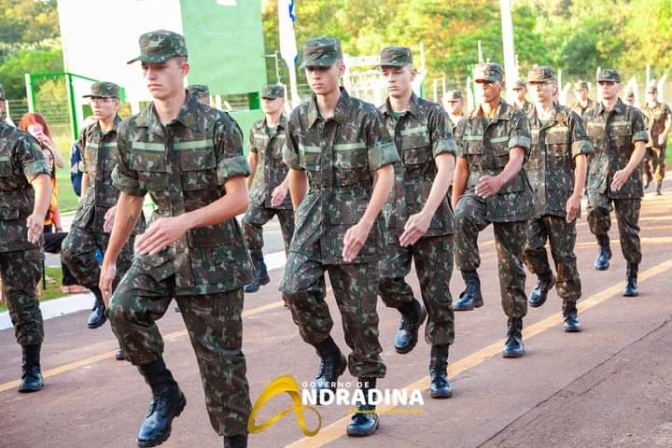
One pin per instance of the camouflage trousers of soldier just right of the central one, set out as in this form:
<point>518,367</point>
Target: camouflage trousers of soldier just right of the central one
<point>433,257</point>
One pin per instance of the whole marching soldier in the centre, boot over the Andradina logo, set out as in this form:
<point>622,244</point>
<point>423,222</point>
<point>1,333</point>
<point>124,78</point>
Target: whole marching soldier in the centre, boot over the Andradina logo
<point>337,146</point>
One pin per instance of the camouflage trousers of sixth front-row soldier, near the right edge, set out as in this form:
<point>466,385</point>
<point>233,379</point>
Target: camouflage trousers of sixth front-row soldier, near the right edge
<point>627,217</point>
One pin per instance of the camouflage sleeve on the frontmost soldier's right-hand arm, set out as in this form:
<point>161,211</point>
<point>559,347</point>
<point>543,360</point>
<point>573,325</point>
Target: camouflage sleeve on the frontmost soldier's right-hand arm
<point>228,141</point>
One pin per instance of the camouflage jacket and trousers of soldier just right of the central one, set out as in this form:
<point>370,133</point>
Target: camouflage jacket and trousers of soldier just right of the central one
<point>420,135</point>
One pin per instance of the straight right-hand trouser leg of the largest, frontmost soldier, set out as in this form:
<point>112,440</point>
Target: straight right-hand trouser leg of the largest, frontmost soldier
<point>215,326</point>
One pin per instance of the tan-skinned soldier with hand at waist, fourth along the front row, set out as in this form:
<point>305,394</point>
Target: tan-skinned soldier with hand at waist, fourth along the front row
<point>490,186</point>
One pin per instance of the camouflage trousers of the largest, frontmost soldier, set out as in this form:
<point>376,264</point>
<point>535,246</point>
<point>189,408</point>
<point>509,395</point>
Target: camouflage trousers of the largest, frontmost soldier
<point>215,327</point>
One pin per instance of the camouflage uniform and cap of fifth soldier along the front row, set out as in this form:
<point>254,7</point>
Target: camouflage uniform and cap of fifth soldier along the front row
<point>556,142</point>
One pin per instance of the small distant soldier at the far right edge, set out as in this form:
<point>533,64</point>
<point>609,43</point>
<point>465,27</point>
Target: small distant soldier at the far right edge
<point>658,121</point>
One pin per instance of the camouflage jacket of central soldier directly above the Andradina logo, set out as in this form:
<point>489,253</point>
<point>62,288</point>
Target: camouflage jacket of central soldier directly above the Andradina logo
<point>340,156</point>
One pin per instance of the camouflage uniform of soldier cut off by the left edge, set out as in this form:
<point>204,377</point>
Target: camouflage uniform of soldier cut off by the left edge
<point>21,161</point>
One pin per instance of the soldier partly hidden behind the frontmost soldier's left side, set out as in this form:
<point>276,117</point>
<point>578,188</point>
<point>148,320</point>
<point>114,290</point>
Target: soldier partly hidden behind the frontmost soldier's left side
<point>97,205</point>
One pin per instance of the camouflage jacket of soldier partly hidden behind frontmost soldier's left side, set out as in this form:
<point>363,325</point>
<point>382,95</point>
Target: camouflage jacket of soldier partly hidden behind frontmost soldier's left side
<point>99,157</point>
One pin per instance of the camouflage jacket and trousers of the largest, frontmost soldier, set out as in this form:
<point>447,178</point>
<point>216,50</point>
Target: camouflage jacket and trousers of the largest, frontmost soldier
<point>183,165</point>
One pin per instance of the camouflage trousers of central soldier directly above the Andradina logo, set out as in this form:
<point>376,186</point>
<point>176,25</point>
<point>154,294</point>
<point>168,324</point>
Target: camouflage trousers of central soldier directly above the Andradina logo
<point>355,290</point>
